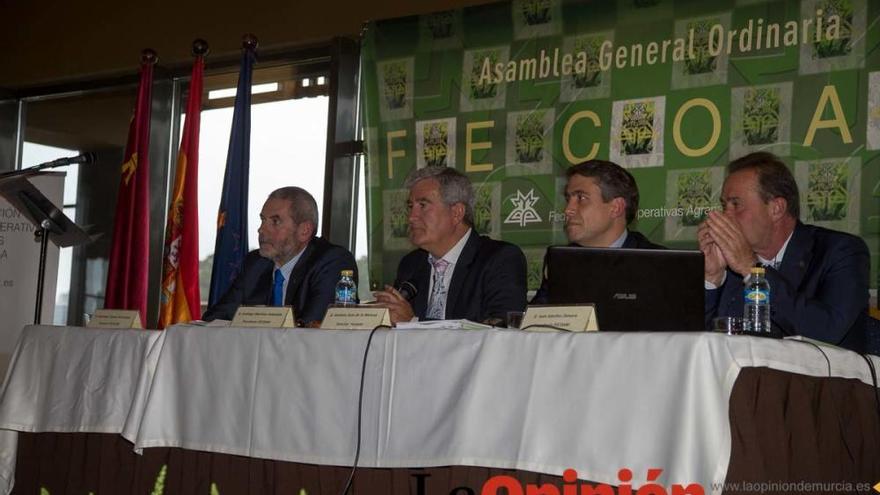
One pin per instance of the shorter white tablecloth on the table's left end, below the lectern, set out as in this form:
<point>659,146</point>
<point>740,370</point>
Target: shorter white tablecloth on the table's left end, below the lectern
<point>69,379</point>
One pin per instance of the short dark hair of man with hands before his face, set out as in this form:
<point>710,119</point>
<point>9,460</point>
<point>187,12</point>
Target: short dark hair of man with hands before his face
<point>774,179</point>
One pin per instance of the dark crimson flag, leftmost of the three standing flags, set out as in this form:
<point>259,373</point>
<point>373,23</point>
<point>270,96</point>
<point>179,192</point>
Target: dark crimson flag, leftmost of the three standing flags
<point>130,251</point>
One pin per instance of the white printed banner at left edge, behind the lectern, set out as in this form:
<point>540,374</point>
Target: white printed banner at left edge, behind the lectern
<point>19,264</point>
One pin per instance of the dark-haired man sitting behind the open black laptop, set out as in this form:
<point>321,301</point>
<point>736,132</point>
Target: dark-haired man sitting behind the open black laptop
<point>601,199</point>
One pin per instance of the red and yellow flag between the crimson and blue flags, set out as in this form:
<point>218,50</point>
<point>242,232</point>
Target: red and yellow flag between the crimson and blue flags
<point>180,300</point>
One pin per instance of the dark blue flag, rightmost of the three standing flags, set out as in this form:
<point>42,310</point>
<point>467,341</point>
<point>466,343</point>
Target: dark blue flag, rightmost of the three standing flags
<point>232,232</point>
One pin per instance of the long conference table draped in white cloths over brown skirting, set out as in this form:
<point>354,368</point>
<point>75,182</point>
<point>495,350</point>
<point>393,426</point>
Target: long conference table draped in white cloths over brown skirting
<point>543,403</point>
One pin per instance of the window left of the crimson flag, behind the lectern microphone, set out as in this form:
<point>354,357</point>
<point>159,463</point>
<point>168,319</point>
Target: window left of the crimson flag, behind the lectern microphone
<point>64,125</point>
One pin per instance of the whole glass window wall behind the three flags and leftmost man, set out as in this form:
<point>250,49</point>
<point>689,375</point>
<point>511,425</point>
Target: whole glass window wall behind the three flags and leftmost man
<point>289,122</point>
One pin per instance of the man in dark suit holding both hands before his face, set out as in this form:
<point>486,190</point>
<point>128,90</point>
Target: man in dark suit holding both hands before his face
<point>818,277</point>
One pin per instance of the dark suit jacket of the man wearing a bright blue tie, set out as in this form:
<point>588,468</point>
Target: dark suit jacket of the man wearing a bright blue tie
<point>310,289</point>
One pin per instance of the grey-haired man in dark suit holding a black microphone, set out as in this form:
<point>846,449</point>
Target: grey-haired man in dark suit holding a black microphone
<point>457,273</point>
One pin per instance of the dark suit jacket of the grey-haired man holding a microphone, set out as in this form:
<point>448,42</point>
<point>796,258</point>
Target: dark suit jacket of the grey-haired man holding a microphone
<point>489,279</point>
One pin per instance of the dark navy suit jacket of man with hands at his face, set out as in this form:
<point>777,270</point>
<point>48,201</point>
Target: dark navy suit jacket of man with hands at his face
<point>820,291</point>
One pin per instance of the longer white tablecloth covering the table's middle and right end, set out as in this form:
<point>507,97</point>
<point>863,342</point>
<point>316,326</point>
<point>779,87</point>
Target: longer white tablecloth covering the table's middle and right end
<point>541,402</point>
